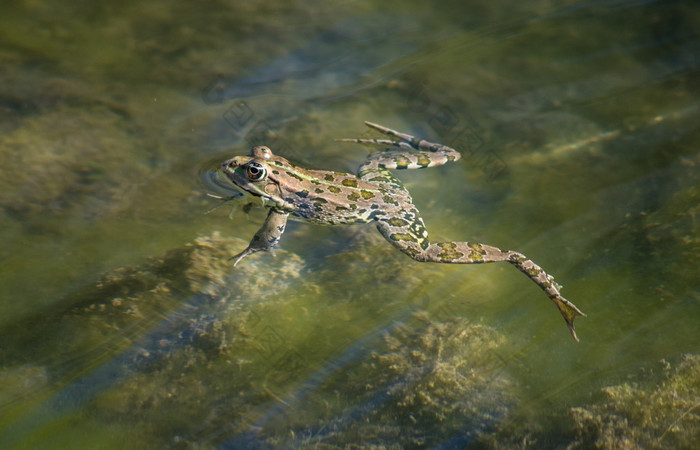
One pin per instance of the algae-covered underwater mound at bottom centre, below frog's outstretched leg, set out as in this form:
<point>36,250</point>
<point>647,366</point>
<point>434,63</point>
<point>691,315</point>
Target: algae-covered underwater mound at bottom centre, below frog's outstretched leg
<point>425,383</point>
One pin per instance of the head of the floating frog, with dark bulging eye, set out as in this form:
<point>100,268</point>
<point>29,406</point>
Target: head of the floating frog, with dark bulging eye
<point>256,175</point>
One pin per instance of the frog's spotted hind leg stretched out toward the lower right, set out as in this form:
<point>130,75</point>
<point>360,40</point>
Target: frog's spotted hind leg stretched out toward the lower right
<point>412,239</point>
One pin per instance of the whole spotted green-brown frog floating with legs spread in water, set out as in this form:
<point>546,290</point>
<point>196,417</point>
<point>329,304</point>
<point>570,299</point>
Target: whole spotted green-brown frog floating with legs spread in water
<point>373,195</point>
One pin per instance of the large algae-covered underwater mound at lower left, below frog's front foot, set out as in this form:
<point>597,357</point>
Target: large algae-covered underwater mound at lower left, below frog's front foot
<point>132,341</point>
